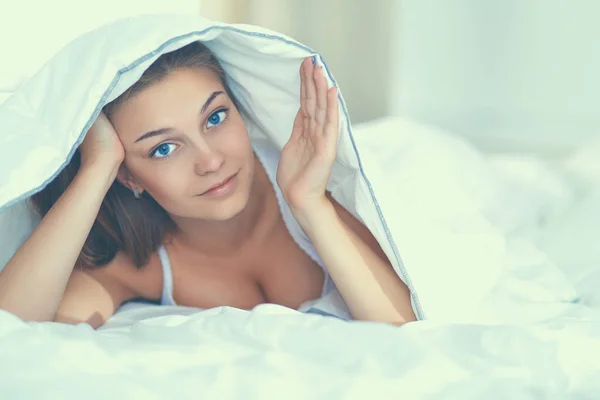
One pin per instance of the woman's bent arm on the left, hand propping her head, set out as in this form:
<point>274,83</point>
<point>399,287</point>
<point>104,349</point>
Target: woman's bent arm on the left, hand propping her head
<point>33,282</point>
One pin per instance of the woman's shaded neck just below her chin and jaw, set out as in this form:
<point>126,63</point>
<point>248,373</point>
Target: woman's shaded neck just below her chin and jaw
<point>219,238</point>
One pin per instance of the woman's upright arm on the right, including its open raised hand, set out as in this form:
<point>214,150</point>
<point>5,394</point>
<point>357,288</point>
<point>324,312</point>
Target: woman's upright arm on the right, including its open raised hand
<point>364,277</point>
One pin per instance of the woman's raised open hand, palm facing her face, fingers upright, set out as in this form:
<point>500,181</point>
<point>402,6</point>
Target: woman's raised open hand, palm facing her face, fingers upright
<point>307,158</point>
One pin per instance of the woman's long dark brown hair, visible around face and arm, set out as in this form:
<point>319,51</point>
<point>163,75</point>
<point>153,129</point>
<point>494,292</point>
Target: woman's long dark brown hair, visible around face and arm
<point>135,226</point>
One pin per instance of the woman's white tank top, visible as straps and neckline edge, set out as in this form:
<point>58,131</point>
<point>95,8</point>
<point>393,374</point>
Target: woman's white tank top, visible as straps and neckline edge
<point>268,156</point>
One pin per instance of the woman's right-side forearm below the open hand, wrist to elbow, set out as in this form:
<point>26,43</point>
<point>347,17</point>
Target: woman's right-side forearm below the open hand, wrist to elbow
<point>367,282</point>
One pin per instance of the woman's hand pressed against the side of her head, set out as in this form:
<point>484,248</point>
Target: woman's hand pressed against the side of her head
<point>101,144</point>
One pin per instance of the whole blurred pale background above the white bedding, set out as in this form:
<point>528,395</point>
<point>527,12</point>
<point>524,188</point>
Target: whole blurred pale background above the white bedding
<point>506,74</point>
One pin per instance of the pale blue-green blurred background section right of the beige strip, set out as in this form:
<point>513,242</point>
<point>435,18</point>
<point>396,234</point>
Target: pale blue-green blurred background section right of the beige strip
<point>505,73</point>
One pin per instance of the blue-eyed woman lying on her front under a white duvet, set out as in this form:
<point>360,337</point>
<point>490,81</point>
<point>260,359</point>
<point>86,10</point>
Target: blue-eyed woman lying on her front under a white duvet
<point>167,200</point>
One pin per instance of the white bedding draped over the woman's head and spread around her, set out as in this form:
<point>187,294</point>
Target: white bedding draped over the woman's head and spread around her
<point>489,246</point>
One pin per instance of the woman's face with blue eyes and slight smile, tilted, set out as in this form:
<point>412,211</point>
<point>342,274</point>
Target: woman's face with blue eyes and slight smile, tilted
<point>187,146</point>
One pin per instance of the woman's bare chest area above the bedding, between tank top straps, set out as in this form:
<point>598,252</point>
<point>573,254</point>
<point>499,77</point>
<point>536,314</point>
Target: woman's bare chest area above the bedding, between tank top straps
<point>278,271</point>
